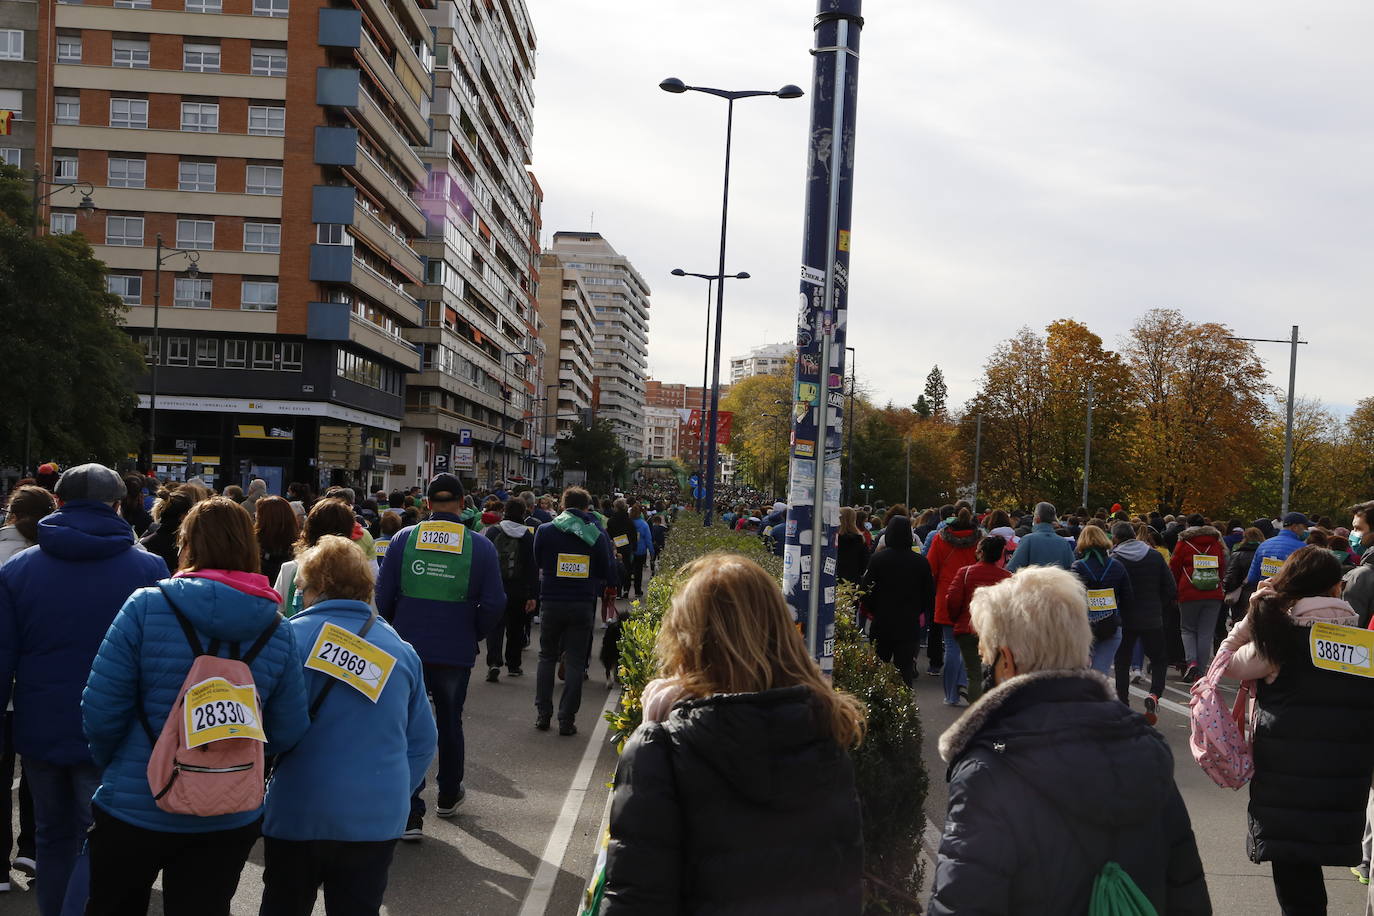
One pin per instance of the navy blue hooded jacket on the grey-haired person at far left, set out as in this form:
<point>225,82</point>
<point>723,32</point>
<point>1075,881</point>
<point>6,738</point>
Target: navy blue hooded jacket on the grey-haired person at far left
<point>56,606</point>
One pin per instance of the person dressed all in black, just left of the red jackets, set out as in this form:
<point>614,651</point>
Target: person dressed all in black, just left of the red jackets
<point>899,595</point>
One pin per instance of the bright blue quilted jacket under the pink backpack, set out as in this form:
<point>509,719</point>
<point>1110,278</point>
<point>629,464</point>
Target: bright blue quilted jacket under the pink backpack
<point>145,660</point>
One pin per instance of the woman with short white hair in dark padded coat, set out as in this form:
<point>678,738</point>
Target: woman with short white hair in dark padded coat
<point>1055,782</point>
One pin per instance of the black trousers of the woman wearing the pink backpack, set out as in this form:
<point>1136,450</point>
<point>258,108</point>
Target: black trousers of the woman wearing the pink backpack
<point>200,871</point>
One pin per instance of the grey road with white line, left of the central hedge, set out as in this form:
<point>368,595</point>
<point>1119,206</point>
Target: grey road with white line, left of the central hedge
<point>523,789</point>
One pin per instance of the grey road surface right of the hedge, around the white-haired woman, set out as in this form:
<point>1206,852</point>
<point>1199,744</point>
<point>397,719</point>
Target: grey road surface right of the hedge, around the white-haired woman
<point>1239,888</point>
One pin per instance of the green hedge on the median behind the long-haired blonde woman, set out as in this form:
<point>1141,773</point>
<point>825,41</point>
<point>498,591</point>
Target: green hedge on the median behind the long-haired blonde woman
<point>890,770</point>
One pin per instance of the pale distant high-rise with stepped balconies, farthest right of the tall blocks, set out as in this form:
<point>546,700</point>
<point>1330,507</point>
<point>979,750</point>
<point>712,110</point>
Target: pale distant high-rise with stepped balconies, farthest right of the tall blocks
<point>620,307</point>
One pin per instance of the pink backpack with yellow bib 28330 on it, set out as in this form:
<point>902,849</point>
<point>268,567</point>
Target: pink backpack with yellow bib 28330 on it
<point>208,760</point>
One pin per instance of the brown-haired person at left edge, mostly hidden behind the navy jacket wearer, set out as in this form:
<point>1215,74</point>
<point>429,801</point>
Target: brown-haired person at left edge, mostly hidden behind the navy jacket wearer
<point>28,506</point>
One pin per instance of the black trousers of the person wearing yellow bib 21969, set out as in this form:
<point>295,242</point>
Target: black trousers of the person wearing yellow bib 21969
<point>354,877</point>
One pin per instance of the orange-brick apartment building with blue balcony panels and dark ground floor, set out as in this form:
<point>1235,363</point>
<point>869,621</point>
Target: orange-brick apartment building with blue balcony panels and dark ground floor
<point>273,139</point>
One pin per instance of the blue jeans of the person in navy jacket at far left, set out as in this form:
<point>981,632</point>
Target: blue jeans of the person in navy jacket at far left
<point>63,815</point>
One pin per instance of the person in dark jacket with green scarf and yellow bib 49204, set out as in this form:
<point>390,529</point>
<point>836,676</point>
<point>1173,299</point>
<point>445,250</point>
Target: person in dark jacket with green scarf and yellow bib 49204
<point>576,566</point>
